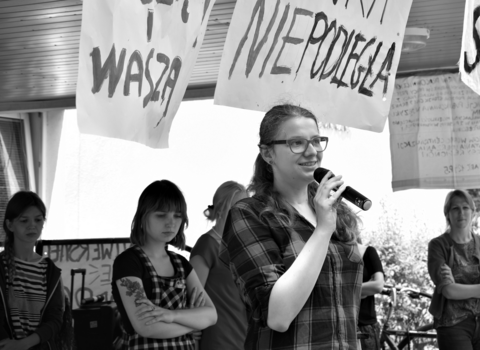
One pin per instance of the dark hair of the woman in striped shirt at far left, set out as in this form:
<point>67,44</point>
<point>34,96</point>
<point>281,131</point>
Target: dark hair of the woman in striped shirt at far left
<point>16,206</point>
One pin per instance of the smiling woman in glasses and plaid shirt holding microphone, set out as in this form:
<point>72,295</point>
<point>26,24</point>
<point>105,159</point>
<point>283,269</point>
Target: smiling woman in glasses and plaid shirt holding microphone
<point>301,272</point>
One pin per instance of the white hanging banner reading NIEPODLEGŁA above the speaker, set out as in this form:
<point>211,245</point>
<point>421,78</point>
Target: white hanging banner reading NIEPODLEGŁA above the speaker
<point>336,58</point>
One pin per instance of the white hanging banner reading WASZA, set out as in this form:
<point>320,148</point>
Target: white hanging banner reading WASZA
<point>136,58</point>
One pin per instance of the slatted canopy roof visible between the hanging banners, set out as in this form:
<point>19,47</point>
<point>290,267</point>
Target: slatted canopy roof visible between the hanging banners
<point>39,47</point>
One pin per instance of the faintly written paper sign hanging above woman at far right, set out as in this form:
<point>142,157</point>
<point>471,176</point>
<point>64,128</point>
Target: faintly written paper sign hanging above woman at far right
<point>435,133</point>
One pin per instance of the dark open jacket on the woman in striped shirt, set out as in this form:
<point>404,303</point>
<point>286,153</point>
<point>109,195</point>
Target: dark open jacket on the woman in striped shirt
<point>52,312</point>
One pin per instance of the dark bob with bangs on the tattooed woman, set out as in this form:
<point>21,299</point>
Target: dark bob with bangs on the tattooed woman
<point>160,195</point>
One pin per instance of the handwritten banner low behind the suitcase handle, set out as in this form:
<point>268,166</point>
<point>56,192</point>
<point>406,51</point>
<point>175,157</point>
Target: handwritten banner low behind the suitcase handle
<point>97,259</point>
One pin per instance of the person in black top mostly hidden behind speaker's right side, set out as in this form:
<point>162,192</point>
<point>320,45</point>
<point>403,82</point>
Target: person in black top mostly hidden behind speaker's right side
<point>373,281</point>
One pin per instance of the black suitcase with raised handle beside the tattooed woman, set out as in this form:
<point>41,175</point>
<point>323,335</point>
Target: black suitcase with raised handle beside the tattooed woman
<point>96,325</point>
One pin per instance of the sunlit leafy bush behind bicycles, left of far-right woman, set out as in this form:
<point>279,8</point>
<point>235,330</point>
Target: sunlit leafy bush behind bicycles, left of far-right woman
<point>402,247</point>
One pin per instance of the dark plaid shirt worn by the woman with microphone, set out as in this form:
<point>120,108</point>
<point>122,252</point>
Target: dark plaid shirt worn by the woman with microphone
<point>259,252</point>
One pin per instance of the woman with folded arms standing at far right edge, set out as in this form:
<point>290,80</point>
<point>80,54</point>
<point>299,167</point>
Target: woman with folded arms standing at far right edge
<point>454,267</point>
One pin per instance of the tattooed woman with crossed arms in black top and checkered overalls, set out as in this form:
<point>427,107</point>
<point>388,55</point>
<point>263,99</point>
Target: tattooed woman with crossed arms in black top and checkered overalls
<point>151,284</point>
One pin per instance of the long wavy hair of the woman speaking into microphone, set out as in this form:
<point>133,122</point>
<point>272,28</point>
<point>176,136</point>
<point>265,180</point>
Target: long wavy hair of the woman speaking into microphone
<point>262,180</point>
